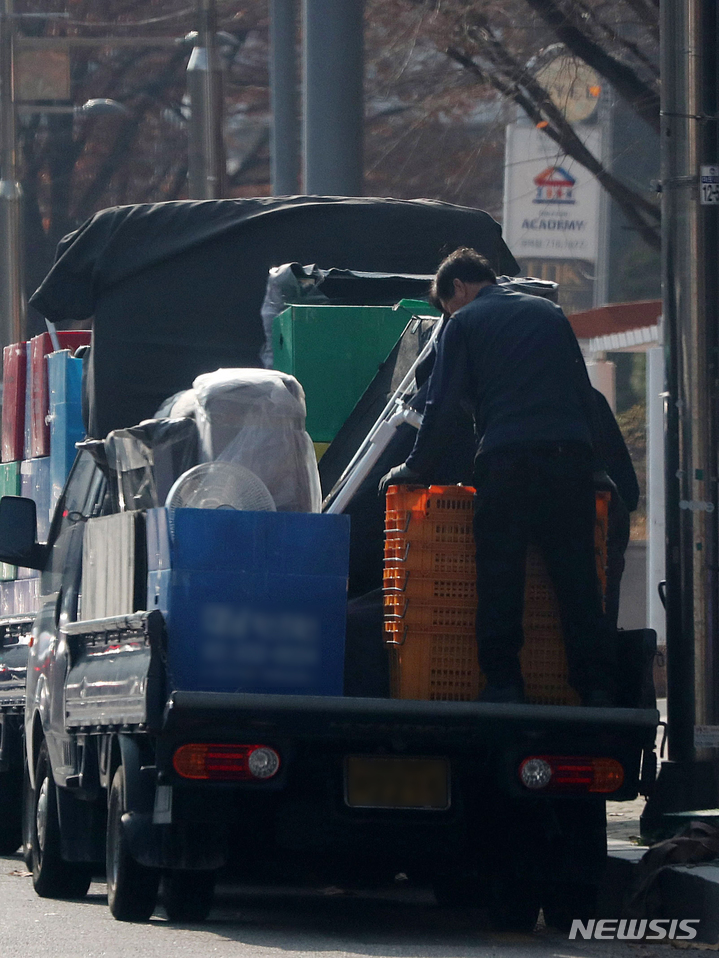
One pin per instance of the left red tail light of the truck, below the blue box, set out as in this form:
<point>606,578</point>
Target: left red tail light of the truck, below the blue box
<point>227,763</point>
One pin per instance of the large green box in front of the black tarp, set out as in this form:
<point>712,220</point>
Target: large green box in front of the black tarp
<point>335,351</point>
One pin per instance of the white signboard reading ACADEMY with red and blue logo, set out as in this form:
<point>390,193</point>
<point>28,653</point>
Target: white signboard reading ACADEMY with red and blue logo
<point>551,203</point>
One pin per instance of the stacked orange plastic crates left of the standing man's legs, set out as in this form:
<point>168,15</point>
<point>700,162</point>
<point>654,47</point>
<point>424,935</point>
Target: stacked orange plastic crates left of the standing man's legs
<point>429,593</point>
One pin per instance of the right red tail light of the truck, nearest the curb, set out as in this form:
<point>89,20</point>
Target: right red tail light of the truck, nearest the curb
<point>571,773</point>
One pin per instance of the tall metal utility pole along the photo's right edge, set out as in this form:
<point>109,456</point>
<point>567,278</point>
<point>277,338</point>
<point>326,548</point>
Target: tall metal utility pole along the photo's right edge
<point>690,260</point>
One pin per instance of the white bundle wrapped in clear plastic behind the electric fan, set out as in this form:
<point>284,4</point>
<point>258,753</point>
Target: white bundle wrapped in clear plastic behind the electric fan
<point>256,418</point>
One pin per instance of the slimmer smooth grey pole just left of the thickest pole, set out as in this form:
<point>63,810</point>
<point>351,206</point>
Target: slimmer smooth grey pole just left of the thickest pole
<point>285,162</point>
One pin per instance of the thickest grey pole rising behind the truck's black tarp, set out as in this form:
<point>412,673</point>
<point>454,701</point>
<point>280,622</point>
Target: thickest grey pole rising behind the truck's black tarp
<point>333,97</point>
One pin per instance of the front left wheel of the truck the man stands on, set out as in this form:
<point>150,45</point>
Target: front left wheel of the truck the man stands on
<point>52,876</point>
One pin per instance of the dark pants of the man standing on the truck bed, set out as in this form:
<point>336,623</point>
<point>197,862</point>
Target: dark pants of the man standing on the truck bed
<point>544,493</point>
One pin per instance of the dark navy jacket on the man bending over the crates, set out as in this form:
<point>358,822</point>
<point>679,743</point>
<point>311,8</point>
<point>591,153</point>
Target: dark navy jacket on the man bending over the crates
<point>514,361</point>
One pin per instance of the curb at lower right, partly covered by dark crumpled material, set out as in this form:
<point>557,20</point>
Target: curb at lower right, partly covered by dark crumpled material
<point>687,891</point>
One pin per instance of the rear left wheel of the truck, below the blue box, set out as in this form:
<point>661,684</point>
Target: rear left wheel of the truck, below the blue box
<point>131,887</point>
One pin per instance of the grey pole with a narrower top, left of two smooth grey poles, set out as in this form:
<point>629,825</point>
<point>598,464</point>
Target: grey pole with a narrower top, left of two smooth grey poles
<point>206,164</point>
